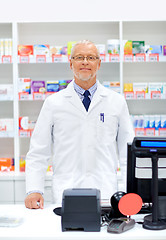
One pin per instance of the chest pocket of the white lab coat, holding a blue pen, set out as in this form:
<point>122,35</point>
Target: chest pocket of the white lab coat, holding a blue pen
<point>107,127</point>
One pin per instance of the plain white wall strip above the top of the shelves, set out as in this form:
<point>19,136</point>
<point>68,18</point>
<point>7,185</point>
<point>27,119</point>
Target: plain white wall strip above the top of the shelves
<point>74,10</point>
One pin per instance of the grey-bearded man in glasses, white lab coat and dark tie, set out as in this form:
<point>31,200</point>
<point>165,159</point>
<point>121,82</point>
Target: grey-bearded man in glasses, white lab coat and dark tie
<point>84,142</point>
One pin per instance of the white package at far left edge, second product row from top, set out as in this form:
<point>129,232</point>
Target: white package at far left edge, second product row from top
<point>6,91</point>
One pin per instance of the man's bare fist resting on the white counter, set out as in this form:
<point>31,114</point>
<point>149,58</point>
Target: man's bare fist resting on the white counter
<point>34,201</point>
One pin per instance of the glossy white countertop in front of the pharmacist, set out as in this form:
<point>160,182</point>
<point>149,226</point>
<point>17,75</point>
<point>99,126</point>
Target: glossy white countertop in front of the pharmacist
<point>44,224</point>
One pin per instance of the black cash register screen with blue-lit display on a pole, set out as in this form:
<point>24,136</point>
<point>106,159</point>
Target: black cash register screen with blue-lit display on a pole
<point>152,190</point>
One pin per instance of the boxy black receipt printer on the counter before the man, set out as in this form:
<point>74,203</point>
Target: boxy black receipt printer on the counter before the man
<point>81,210</point>
